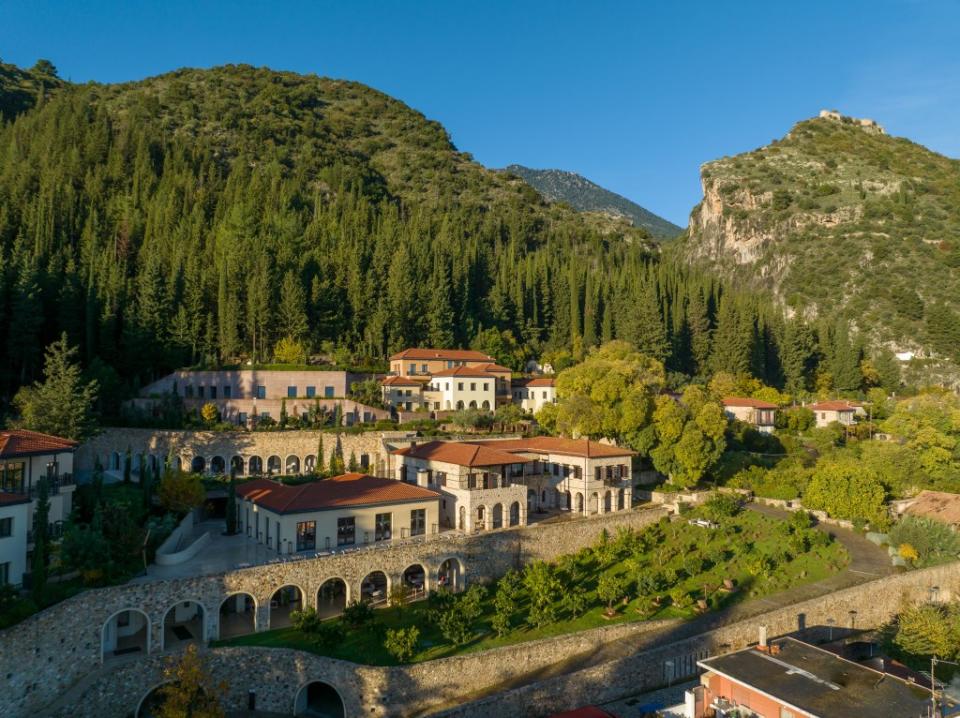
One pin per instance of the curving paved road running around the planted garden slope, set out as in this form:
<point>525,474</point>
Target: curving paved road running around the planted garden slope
<point>867,562</point>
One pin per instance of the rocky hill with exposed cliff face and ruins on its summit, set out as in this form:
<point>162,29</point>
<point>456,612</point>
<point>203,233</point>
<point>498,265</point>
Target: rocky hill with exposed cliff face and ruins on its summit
<point>840,220</point>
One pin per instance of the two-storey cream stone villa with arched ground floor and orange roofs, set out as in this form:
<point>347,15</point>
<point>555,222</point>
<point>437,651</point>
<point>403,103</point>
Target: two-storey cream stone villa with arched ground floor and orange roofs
<point>498,483</point>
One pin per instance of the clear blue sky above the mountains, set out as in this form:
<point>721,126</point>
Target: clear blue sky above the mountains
<point>633,95</point>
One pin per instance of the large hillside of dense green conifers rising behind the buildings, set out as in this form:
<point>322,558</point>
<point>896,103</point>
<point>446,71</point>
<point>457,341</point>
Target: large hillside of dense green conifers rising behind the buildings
<point>201,216</point>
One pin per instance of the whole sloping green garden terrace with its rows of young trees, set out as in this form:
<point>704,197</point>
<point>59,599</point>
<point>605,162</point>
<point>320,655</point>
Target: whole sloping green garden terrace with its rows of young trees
<point>696,564</point>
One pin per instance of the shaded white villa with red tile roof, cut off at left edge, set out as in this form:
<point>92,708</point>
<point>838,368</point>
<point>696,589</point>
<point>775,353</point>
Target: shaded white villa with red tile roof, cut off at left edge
<point>26,457</point>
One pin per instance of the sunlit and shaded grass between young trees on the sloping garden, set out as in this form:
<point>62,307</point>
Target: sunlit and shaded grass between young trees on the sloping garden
<point>760,555</point>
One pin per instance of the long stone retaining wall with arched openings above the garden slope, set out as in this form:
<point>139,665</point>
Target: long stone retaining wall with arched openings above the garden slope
<point>46,654</point>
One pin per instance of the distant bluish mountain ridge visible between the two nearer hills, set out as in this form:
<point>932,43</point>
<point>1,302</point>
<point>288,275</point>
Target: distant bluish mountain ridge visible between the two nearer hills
<point>586,196</point>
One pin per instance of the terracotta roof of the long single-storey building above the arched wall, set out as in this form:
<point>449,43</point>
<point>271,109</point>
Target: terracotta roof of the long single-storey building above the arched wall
<point>346,490</point>
